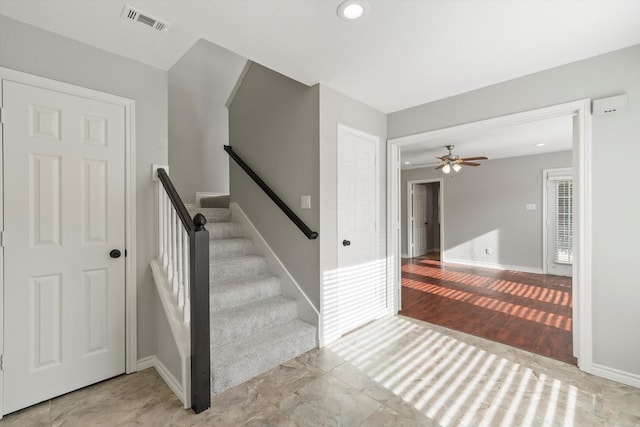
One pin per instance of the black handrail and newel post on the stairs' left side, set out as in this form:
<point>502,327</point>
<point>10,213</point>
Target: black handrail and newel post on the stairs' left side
<point>199,297</point>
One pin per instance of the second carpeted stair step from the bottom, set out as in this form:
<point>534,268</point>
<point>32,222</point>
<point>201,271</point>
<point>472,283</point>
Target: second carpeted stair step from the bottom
<point>239,322</point>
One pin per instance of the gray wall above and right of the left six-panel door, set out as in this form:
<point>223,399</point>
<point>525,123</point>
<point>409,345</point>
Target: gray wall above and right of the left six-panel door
<point>35,51</point>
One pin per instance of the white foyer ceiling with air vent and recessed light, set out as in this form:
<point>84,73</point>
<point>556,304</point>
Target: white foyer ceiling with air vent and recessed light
<point>403,53</point>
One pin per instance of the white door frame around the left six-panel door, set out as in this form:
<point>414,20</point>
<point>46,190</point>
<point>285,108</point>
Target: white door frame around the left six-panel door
<point>131,353</point>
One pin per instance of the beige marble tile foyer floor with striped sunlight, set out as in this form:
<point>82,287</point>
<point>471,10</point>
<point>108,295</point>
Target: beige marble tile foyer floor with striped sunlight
<point>392,372</point>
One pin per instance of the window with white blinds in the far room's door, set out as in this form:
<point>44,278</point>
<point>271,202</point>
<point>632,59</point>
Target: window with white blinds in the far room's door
<point>564,222</point>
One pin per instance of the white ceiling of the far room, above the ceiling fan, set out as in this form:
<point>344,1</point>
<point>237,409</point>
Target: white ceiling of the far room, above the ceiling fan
<point>510,141</point>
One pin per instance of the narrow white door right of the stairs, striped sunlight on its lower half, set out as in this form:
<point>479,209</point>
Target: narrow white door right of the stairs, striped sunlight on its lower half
<point>361,275</point>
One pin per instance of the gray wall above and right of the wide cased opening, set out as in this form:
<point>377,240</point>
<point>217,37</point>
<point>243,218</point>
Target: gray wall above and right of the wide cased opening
<point>615,198</point>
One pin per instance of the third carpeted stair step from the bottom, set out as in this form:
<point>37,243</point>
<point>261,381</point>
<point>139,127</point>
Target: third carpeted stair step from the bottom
<point>232,293</point>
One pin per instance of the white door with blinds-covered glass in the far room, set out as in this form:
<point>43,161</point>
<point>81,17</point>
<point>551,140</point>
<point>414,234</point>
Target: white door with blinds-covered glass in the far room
<point>559,223</point>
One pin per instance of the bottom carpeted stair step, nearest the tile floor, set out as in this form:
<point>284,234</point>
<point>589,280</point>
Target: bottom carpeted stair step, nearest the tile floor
<point>244,359</point>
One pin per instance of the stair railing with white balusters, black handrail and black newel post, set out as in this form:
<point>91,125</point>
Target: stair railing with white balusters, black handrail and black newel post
<point>183,248</point>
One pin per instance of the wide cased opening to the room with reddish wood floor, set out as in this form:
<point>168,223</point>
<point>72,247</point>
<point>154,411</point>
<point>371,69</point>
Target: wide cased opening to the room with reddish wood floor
<point>491,278</point>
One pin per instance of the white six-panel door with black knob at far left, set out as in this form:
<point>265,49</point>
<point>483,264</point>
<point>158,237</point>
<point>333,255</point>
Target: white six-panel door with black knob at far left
<point>64,212</point>
